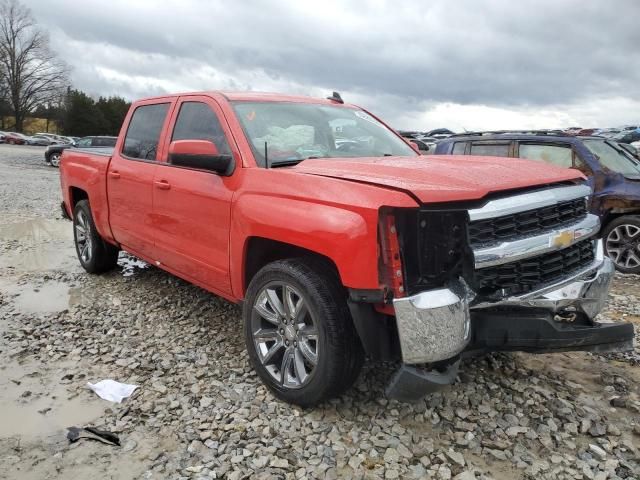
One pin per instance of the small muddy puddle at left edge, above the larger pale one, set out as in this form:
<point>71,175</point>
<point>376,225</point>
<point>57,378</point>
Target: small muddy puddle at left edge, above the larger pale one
<point>46,298</point>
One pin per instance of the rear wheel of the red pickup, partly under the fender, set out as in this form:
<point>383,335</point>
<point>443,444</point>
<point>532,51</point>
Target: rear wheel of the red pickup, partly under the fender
<point>98,256</point>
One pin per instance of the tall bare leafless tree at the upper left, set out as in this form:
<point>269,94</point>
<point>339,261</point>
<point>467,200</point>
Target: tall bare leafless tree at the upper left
<point>31,73</point>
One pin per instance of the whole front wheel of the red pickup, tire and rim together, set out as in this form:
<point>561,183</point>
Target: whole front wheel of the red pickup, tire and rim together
<point>299,333</point>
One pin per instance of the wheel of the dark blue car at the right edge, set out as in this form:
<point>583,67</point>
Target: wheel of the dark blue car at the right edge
<point>622,243</point>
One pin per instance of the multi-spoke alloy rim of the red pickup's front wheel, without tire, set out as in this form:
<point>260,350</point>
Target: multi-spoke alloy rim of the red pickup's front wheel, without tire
<point>285,334</point>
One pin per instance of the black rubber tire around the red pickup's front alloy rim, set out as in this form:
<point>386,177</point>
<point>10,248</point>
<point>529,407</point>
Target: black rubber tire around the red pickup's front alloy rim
<point>339,354</point>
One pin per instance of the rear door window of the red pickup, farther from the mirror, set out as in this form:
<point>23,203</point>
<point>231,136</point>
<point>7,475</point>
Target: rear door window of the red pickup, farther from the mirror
<point>144,129</point>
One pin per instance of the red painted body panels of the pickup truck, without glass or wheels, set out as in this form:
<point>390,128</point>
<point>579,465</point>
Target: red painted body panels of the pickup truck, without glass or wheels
<point>198,224</point>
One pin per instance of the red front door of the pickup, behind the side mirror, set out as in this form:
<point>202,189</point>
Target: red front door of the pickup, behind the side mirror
<point>192,208</point>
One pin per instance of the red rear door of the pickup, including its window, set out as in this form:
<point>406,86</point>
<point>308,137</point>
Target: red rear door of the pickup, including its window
<point>130,179</point>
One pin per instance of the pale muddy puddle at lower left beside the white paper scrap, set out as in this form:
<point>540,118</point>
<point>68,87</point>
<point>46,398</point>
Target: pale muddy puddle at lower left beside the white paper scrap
<point>35,408</point>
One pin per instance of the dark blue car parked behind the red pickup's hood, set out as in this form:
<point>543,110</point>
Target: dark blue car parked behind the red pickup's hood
<point>612,172</point>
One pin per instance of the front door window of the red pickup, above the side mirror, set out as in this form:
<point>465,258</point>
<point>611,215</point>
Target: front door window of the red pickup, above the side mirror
<point>197,121</point>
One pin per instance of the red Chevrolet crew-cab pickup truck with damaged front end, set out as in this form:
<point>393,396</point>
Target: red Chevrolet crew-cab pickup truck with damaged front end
<point>340,240</point>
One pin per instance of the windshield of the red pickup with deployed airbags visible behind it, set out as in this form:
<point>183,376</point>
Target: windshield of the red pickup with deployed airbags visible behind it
<point>292,132</point>
